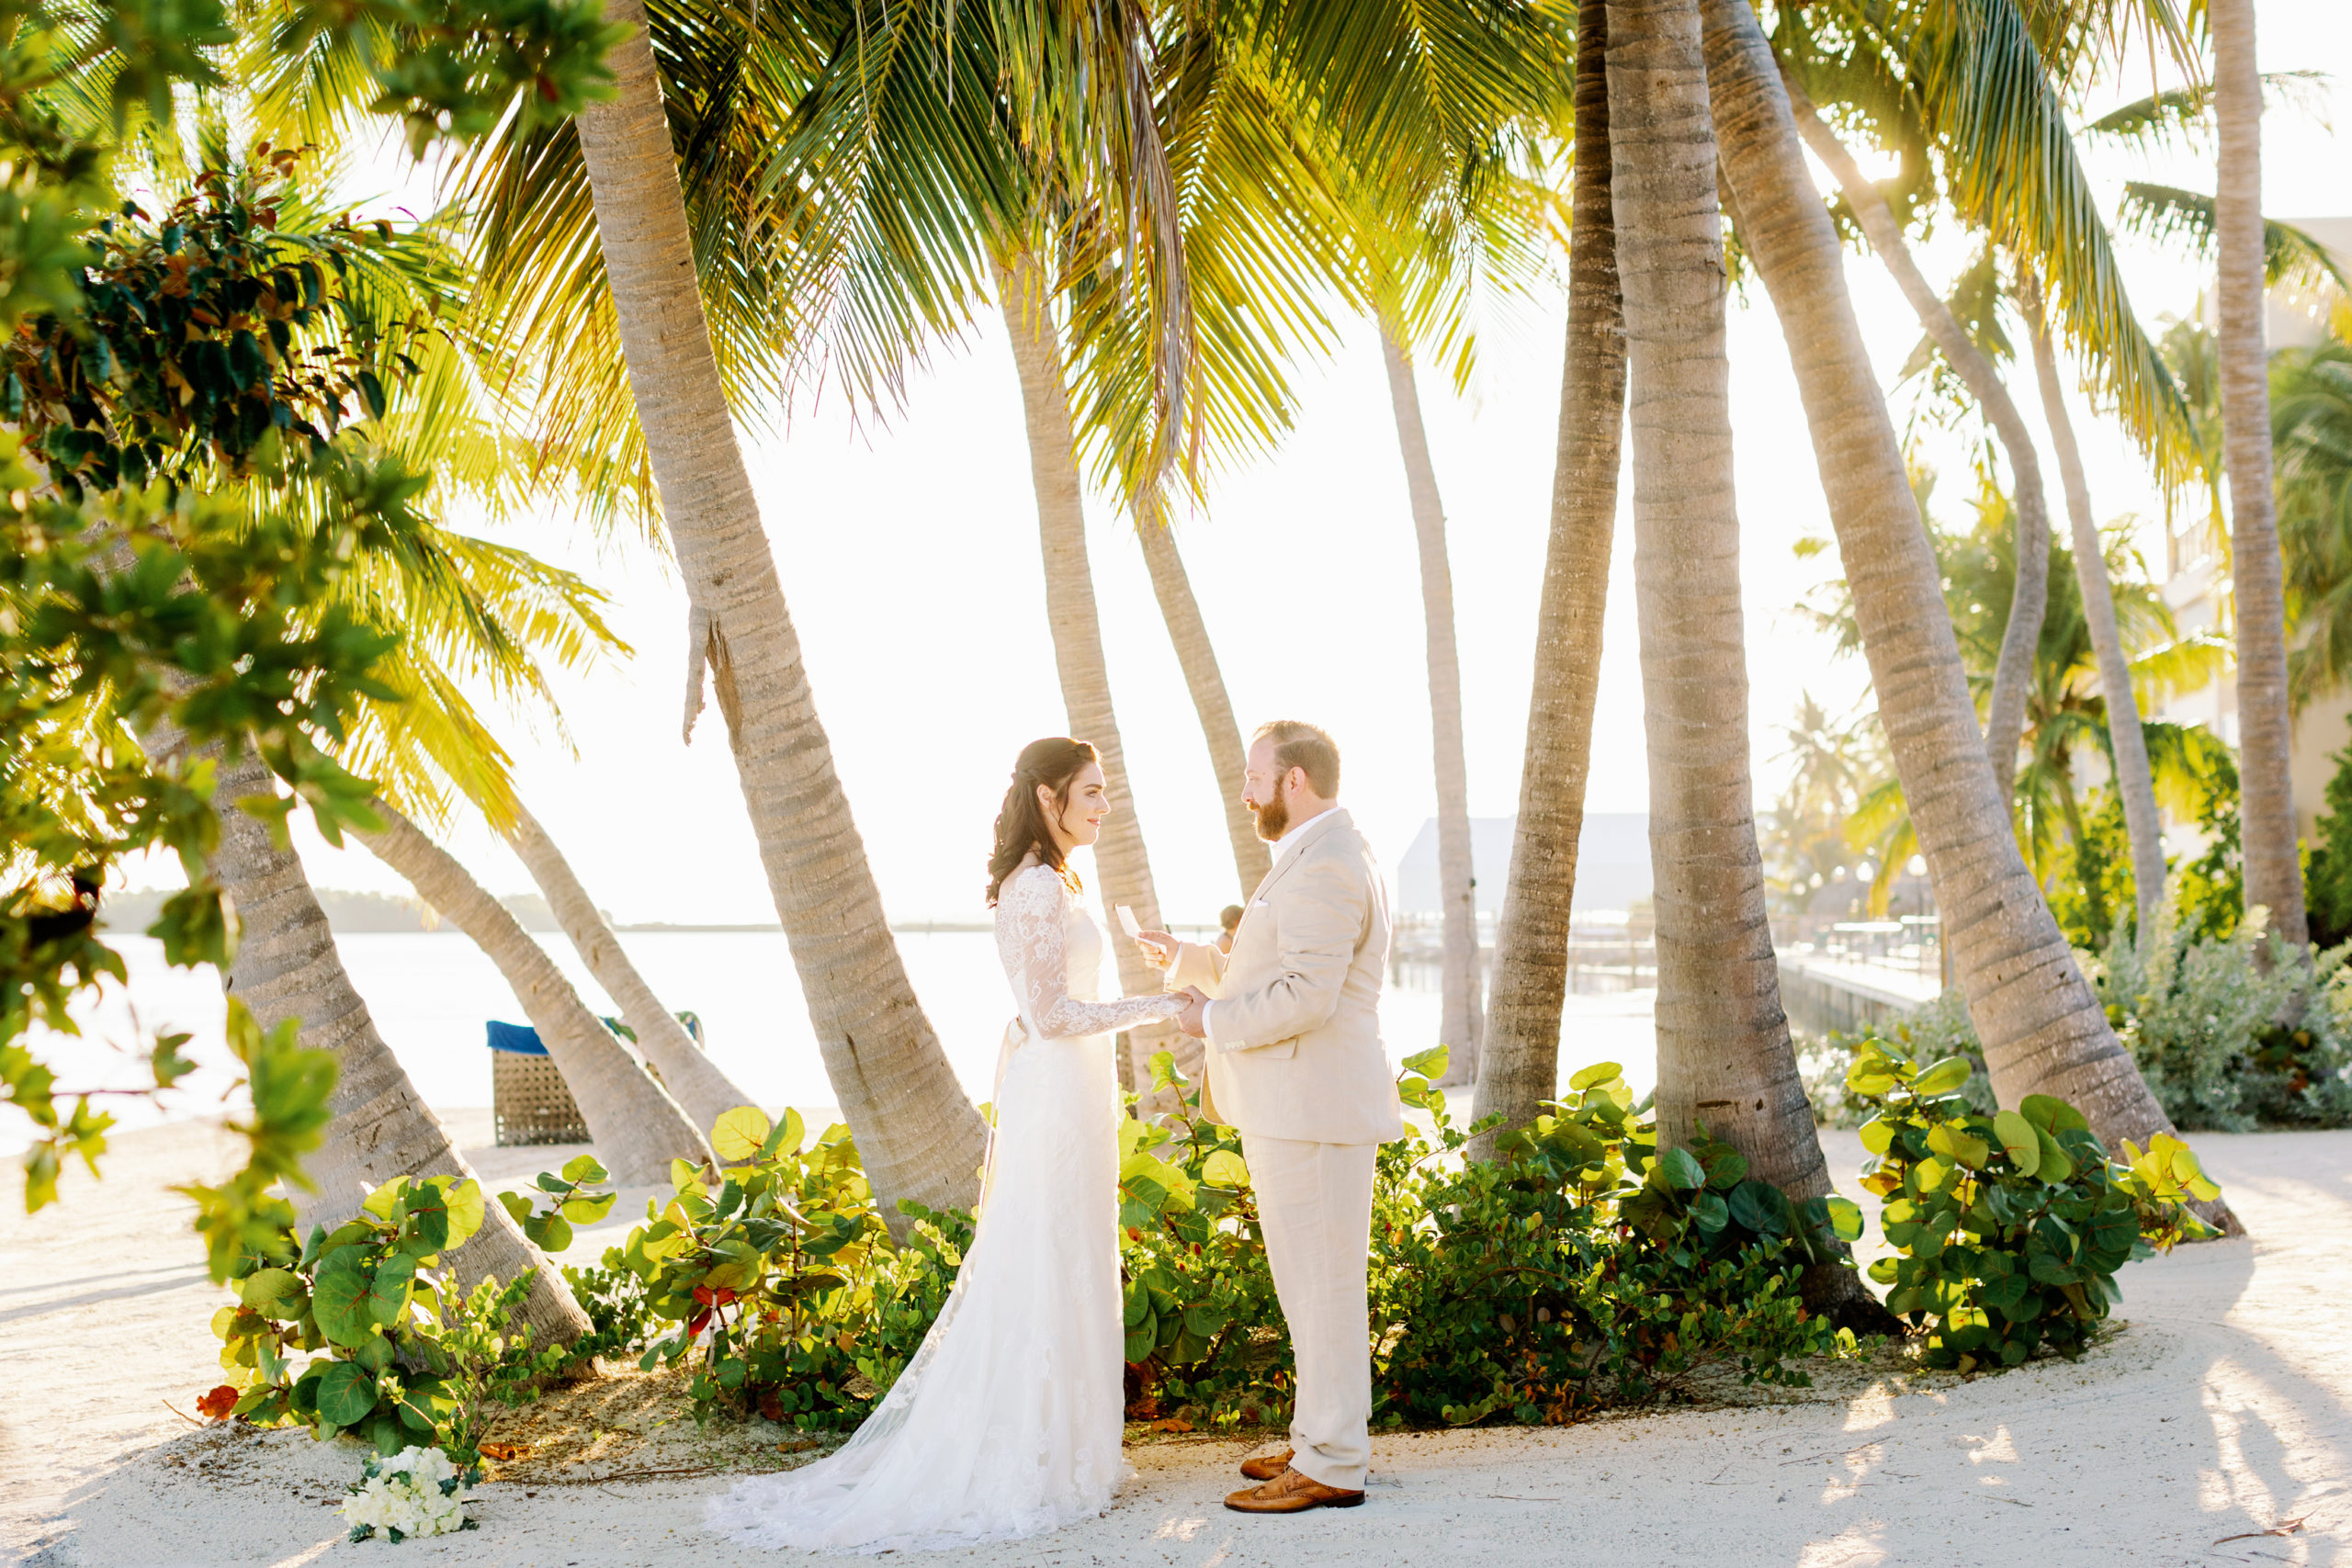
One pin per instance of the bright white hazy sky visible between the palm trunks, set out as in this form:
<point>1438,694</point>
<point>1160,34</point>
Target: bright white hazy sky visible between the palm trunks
<point>909,554</point>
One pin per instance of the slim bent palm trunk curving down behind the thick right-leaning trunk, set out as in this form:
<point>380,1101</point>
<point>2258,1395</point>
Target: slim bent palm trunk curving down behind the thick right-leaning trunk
<point>2005,716</point>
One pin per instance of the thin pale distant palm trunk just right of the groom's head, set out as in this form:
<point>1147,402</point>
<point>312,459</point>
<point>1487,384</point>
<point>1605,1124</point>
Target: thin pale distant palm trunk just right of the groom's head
<point>1457,883</point>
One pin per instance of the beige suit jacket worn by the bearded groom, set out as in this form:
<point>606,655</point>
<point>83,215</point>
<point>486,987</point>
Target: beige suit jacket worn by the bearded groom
<point>1297,1026</point>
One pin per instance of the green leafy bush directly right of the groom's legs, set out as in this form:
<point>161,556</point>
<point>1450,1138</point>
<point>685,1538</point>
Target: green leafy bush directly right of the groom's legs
<point>1582,1271</point>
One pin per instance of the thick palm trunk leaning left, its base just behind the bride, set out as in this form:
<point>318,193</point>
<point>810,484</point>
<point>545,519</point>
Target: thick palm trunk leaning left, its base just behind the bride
<point>916,1130</point>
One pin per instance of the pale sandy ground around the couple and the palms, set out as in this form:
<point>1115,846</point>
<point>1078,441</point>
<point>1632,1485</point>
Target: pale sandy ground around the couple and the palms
<point>2214,1428</point>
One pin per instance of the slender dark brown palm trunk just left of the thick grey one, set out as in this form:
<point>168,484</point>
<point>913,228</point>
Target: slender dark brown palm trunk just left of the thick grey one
<point>1521,1054</point>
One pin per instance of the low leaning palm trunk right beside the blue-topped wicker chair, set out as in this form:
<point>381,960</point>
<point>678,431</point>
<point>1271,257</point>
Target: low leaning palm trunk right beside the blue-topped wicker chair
<point>639,1130</point>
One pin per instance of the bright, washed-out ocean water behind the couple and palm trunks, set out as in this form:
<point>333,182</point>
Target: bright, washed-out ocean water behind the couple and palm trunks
<point>432,996</point>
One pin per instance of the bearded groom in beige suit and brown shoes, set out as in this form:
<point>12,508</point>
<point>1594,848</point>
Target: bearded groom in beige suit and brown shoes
<point>1292,1026</point>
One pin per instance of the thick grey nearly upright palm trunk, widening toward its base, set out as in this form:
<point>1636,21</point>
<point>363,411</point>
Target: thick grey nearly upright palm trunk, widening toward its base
<point>1725,1057</point>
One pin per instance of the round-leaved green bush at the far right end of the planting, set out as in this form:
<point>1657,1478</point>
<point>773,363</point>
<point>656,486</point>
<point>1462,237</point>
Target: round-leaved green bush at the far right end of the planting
<point>2007,1228</point>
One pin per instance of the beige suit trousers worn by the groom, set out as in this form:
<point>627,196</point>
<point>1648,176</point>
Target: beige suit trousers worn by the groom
<point>1316,1209</point>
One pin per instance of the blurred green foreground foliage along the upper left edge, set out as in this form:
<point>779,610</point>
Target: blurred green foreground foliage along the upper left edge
<point>189,617</point>
